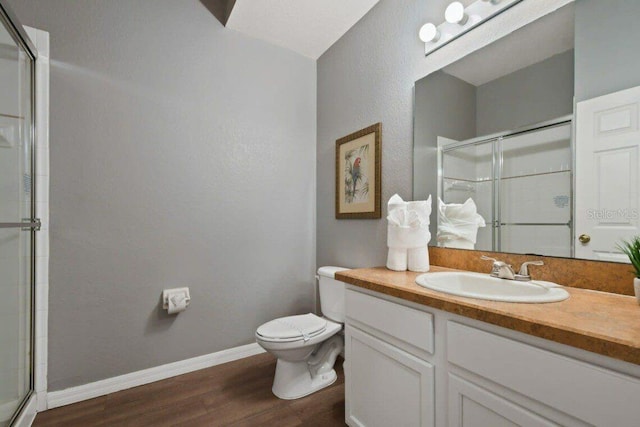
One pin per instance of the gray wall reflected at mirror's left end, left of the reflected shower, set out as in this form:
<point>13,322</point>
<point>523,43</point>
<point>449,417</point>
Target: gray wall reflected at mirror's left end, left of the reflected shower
<point>445,106</point>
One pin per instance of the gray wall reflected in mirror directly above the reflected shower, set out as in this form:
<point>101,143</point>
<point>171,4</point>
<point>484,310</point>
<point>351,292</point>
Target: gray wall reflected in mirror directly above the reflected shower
<point>542,91</point>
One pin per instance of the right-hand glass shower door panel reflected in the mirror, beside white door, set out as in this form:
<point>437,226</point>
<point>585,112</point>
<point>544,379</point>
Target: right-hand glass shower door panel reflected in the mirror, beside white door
<point>535,192</point>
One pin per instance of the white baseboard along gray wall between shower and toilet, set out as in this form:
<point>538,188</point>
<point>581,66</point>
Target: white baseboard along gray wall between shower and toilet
<point>146,376</point>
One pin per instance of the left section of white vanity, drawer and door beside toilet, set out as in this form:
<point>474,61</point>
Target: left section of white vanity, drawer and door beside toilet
<point>386,381</point>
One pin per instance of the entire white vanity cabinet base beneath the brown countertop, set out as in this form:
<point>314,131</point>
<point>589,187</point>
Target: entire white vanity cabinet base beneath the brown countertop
<point>414,366</point>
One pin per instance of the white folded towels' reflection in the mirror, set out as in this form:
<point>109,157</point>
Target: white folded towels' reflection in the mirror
<point>458,224</point>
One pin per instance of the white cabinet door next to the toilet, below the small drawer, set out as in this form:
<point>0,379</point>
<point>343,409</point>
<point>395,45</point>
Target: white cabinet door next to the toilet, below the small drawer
<point>386,386</point>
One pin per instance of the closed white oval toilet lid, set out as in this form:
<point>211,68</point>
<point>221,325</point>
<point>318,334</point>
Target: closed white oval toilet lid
<point>291,328</point>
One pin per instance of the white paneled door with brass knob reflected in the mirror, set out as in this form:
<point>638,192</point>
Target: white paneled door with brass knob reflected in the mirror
<point>607,162</point>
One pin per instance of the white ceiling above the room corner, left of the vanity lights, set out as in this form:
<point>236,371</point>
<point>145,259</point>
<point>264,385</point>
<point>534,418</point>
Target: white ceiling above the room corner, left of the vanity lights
<point>308,27</point>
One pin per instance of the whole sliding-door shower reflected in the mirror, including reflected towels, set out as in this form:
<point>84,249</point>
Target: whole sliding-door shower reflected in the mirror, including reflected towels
<point>519,183</point>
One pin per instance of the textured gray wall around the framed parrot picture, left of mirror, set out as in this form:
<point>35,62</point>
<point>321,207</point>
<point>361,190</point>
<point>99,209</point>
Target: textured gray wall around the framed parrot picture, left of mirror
<point>368,77</point>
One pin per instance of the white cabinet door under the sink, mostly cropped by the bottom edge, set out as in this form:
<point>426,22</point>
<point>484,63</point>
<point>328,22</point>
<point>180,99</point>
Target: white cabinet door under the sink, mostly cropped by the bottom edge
<point>474,406</point>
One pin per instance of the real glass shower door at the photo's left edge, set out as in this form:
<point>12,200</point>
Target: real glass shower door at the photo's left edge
<point>16,224</point>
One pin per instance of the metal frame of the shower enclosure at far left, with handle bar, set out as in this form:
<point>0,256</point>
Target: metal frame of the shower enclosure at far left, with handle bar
<point>19,34</point>
